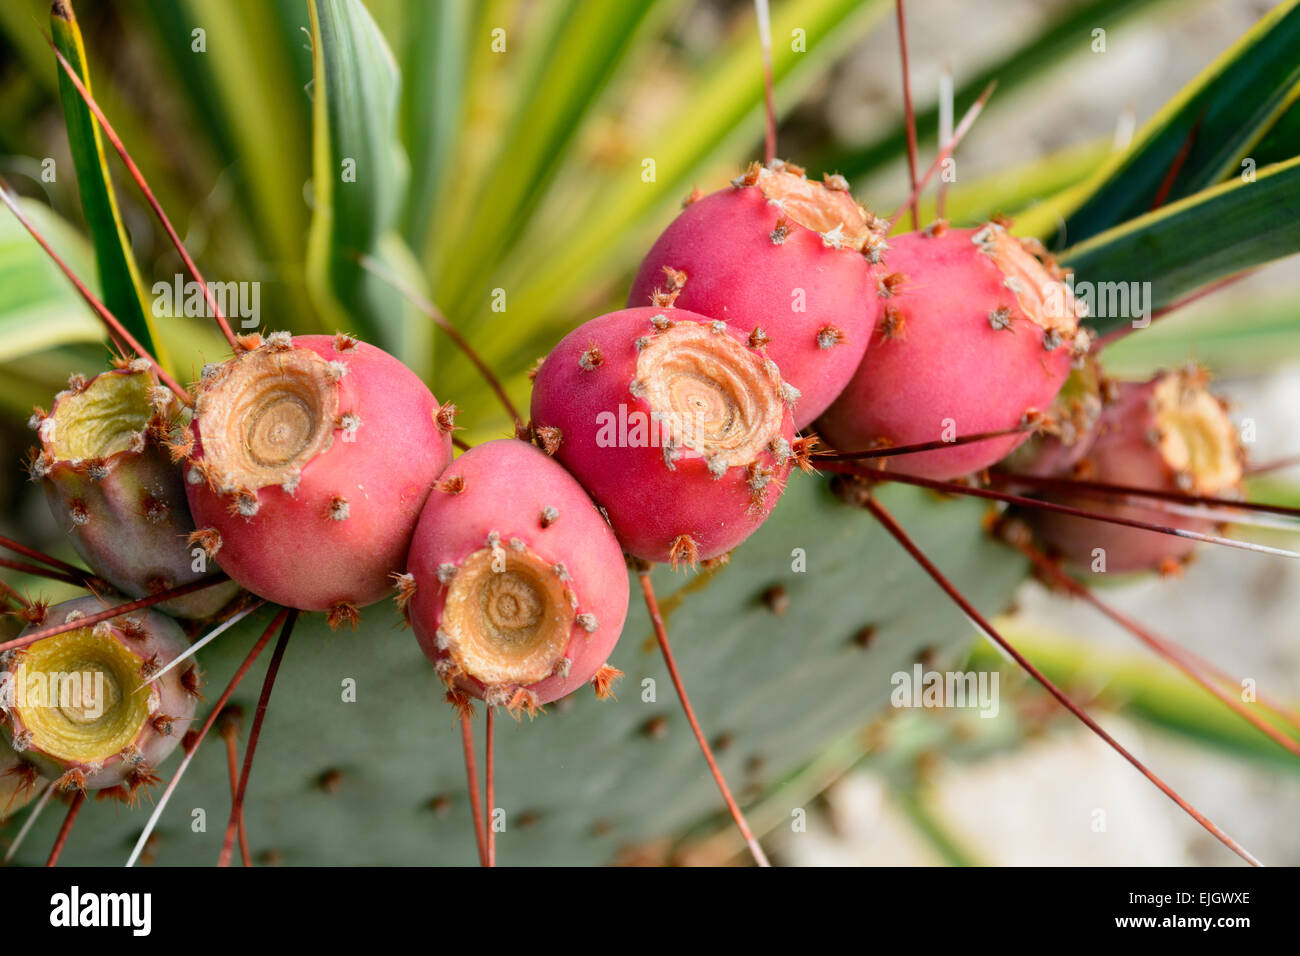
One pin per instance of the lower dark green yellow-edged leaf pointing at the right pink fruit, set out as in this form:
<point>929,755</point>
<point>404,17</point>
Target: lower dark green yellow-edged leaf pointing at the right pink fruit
<point>1188,245</point>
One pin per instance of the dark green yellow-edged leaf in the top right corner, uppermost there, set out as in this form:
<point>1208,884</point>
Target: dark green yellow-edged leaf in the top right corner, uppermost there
<point>1206,133</point>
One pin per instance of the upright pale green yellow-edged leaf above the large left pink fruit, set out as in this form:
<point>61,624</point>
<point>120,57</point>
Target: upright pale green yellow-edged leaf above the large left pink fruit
<point>359,176</point>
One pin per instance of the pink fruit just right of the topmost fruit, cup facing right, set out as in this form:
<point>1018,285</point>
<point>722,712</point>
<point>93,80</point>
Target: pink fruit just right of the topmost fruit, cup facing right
<point>978,335</point>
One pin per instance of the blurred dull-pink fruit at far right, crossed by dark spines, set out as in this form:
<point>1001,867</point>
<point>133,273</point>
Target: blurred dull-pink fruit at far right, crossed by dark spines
<point>1169,434</point>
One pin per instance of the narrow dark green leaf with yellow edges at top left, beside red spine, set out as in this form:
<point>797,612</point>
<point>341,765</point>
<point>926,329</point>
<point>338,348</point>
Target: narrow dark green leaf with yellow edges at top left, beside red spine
<point>120,280</point>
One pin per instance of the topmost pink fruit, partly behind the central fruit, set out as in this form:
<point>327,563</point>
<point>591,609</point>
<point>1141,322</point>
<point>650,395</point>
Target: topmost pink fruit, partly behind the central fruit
<point>788,259</point>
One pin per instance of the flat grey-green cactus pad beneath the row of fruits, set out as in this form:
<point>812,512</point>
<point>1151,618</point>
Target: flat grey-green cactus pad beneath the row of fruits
<point>361,763</point>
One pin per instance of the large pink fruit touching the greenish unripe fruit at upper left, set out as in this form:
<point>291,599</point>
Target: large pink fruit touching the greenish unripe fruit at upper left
<point>311,462</point>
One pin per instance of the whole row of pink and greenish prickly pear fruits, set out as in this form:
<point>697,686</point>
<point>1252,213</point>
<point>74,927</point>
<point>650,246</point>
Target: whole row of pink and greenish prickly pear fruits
<point>318,473</point>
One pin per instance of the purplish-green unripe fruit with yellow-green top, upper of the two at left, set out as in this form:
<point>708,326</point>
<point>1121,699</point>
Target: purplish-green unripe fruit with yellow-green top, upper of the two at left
<point>115,490</point>
